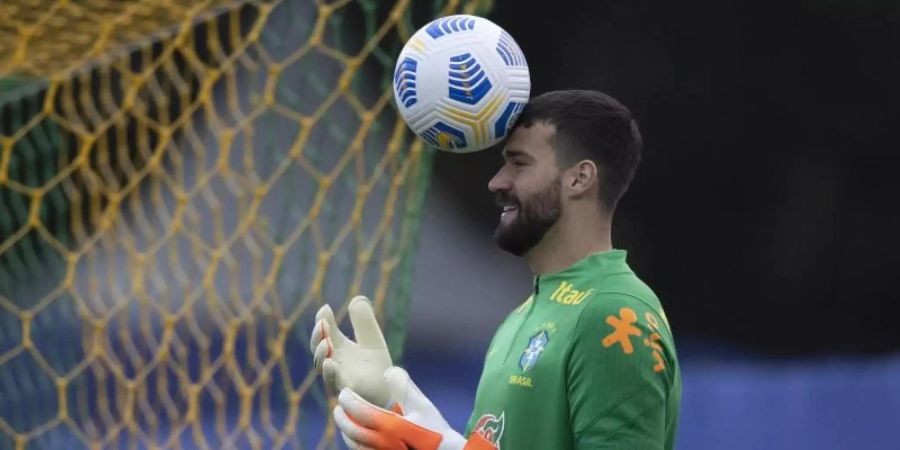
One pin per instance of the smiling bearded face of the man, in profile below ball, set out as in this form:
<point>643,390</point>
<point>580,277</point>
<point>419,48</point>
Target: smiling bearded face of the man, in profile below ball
<point>527,187</point>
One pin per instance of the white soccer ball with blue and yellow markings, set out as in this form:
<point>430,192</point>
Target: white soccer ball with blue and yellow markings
<point>461,82</point>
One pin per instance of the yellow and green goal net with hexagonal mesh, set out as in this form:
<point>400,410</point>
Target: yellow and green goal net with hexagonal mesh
<point>183,183</point>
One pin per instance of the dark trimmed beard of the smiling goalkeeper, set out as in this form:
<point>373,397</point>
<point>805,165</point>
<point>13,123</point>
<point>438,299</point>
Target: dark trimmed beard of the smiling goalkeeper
<point>534,216</point>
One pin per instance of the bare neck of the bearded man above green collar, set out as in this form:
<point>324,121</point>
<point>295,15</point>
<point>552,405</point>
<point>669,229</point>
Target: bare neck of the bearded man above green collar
<point>572,238</point>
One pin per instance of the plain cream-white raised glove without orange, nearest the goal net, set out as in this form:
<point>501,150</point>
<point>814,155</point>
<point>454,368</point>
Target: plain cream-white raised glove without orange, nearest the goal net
<point>344,363</point>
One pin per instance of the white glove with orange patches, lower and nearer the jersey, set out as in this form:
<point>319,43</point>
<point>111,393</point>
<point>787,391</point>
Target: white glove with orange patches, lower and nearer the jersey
<point>413,423</point>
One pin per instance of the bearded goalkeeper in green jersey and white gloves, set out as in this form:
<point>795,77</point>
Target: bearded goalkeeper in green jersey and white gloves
<point>588,360</point>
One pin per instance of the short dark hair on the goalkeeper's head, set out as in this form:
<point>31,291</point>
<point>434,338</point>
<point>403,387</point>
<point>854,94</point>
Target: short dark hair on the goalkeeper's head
<point>591,125</point>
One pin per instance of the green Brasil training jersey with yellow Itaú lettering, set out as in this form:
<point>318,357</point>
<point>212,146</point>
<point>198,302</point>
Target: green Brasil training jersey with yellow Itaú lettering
<point>586,362</point>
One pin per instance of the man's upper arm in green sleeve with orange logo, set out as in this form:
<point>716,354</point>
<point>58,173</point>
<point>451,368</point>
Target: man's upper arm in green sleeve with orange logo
<point>618,376</point>
